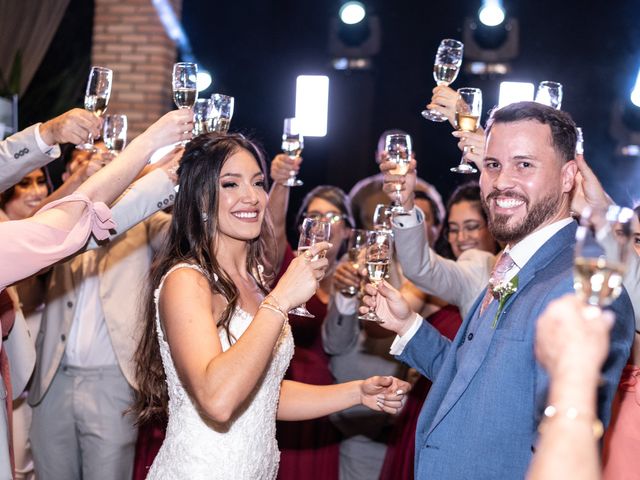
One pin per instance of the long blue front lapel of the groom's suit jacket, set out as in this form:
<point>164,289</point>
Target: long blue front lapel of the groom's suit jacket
<point>465,372</point>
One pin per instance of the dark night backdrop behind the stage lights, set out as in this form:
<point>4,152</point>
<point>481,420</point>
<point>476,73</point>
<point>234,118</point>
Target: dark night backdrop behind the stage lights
<point>256,49</point>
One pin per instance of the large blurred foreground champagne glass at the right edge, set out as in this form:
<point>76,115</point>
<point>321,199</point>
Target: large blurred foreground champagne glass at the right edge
<point>600,263</point>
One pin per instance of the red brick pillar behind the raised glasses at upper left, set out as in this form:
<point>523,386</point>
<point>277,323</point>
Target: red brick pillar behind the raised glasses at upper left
<point>129,38</point>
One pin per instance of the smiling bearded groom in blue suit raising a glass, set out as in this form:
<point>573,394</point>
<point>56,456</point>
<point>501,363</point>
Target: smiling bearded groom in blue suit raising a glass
<point>481,416</point>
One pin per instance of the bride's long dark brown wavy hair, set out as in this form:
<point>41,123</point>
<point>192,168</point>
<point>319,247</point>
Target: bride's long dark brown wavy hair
<point>191,239</point>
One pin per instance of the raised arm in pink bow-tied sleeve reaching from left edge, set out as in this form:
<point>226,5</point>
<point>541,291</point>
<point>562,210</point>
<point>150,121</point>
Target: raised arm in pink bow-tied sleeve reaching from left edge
<point>62,227</point>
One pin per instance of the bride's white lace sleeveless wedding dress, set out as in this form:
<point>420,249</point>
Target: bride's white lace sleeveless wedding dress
<point>245,447</point>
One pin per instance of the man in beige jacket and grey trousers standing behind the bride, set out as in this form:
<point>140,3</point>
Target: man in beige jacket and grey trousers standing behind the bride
<point>83,379</point>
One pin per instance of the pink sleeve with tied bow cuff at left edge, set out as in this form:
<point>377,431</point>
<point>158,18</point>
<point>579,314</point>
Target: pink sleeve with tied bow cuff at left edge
<point>27,246</point>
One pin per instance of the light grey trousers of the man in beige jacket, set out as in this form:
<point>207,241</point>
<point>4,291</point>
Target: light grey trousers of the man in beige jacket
<point>79,430</point>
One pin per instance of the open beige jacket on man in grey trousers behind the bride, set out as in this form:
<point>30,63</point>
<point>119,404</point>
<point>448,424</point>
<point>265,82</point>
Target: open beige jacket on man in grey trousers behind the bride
<point>123,267</point>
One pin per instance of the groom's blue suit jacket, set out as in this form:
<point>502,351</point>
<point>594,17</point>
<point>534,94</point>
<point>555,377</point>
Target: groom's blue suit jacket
<point>481,415</point>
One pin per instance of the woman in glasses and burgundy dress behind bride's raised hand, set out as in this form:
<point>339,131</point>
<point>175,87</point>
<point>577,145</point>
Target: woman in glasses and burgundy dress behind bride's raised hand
<point>309,449</point>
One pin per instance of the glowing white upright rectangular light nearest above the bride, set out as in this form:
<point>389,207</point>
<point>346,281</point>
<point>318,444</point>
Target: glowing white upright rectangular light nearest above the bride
<point>312,104</point>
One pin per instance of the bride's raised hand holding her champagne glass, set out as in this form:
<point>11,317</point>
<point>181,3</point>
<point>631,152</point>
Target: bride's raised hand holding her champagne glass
<point>300,281</point>
